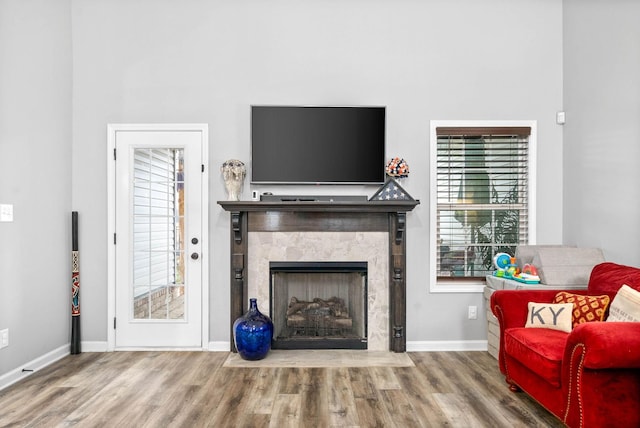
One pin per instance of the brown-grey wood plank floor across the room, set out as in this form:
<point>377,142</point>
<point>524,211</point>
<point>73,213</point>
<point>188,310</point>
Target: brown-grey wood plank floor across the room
<point>193,389</point>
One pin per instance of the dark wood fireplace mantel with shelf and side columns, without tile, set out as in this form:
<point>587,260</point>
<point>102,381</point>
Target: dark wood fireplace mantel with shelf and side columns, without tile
<point>314,216</point>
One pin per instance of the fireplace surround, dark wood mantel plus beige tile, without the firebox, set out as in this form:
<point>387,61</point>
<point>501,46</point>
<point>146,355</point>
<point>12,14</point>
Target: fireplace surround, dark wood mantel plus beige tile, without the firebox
<point>321,231</point>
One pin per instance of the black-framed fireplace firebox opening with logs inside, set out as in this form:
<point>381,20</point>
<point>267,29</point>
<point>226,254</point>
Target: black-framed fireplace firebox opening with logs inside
<point>319,305</point>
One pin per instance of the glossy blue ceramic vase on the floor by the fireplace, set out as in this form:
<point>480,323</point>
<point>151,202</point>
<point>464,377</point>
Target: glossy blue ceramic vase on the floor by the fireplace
<point>252,333</point>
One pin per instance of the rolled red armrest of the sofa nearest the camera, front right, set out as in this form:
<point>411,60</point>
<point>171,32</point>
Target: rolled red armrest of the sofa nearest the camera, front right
<point>605,345</point>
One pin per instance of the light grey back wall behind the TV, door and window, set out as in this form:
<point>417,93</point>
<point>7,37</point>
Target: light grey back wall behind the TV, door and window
<point>203,61</point>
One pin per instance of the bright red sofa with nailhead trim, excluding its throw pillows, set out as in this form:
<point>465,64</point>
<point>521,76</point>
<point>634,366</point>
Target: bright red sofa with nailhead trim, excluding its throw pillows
<point>589,377</point>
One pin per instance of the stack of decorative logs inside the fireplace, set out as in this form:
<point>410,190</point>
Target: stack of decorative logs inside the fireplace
<point>318,317</point>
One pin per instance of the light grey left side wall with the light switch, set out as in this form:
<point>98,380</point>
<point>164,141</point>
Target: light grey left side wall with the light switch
<point>35,177</point>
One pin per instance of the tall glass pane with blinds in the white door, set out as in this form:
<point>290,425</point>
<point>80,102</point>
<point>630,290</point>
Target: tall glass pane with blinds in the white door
<point>158,234</point>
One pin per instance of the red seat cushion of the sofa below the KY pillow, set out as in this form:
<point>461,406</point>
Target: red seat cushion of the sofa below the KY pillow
<point>541,350</point>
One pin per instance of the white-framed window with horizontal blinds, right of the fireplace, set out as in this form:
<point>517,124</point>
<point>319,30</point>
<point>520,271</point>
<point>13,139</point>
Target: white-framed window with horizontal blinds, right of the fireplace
<point>481,198</point>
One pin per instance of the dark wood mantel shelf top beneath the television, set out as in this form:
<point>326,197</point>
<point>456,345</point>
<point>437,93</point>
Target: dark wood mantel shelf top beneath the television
<point>320,206</point>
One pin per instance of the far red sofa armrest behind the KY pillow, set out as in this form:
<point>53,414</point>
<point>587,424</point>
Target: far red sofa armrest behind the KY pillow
<point>511,306</point>
